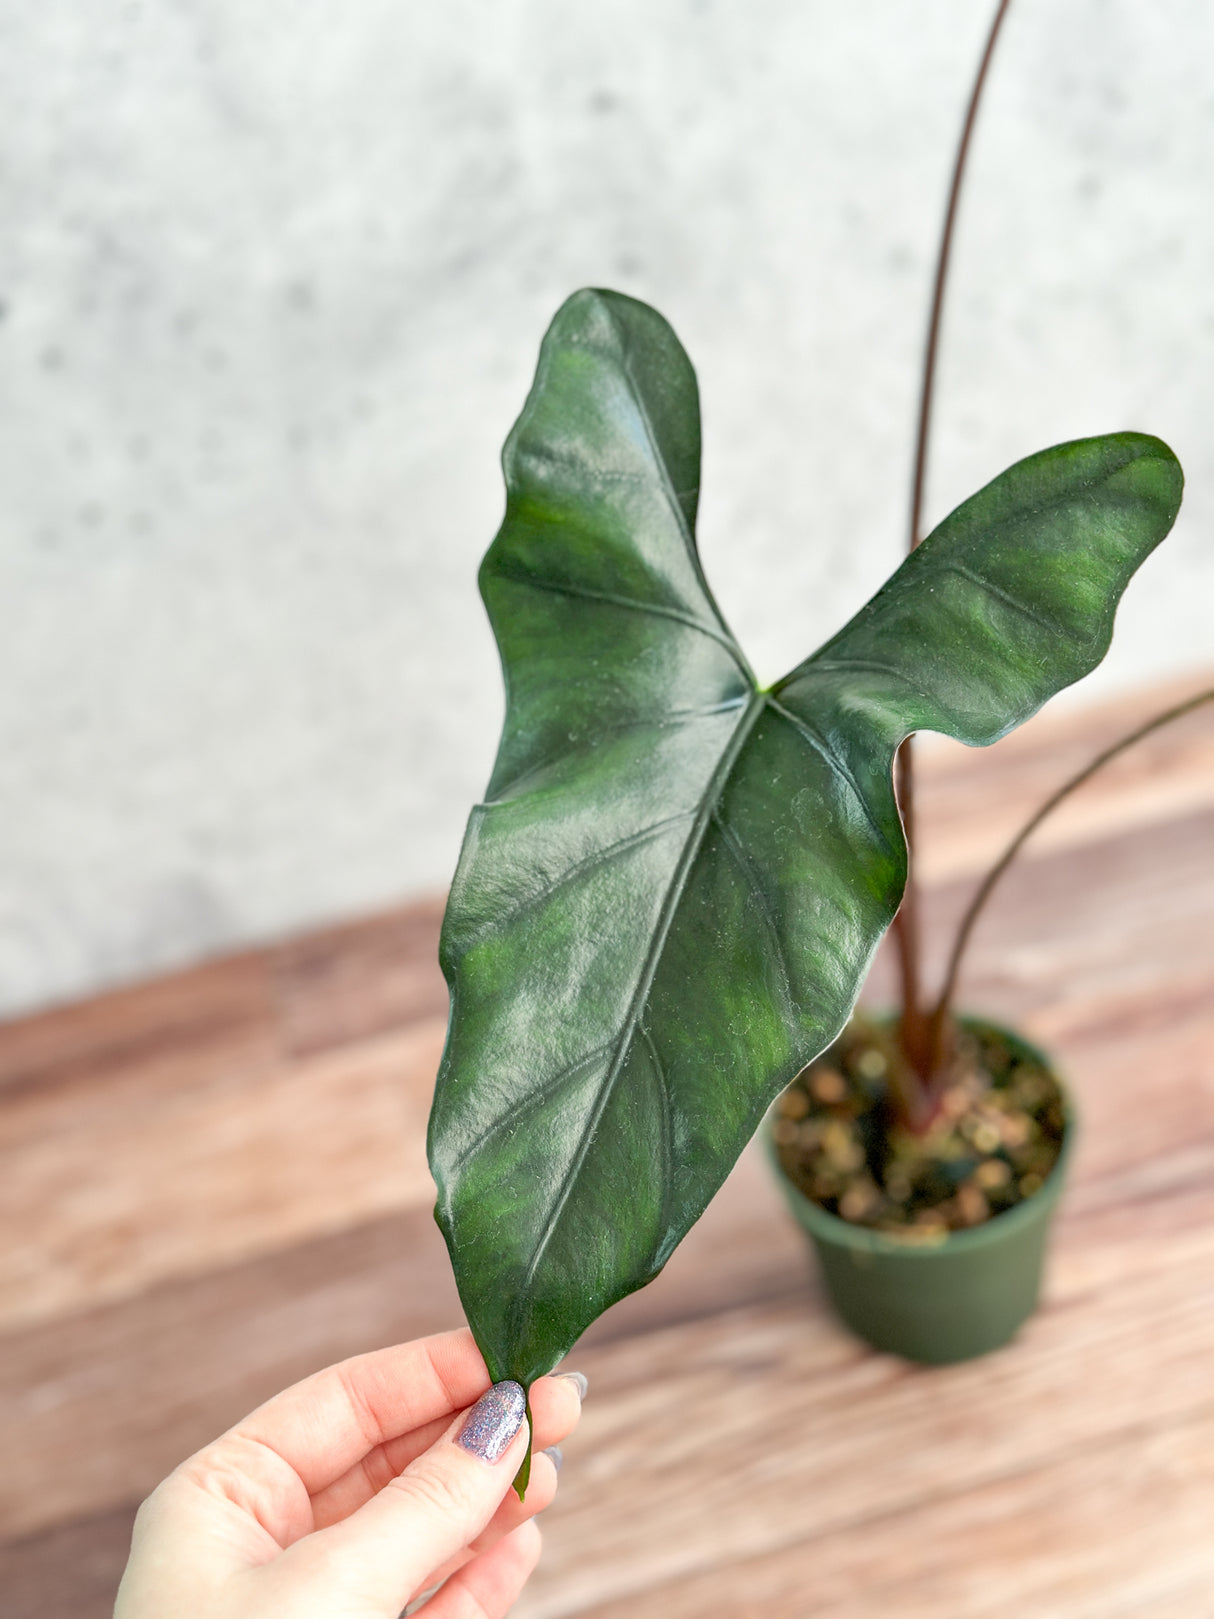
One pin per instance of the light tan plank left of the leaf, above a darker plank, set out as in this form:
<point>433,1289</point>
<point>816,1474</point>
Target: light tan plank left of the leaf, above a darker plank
<point>208,1175</point>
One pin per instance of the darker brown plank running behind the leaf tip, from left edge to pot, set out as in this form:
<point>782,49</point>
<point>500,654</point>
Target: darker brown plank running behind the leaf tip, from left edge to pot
<point>103,1404</point>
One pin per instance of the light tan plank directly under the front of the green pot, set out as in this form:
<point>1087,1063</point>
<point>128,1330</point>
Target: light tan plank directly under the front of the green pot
<point>771,1427</point>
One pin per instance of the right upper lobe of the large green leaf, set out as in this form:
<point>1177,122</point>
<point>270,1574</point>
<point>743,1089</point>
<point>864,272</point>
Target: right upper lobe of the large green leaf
<point>1011,600</point>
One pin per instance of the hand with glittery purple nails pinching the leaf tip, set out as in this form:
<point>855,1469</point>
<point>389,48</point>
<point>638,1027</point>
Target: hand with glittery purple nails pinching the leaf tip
<point>355,1490</point>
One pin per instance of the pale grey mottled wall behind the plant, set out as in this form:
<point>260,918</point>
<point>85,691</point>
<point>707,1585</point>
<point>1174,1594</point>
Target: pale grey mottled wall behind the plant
<point>273,279</point>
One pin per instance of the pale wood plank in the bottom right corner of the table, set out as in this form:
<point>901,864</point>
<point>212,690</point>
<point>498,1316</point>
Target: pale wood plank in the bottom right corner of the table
<point>1113,1529</point>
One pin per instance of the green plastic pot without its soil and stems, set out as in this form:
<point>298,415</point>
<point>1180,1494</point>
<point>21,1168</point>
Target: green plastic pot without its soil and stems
<point>959,1298</point>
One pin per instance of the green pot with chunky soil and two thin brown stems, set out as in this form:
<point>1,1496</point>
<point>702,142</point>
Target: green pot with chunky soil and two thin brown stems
<point>925,1154</point>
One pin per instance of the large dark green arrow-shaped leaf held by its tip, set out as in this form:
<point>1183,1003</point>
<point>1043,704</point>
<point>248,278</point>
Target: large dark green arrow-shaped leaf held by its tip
<point>677,882</point>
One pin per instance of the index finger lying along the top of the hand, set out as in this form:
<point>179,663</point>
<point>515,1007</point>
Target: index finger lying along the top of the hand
<point>329,1422</point>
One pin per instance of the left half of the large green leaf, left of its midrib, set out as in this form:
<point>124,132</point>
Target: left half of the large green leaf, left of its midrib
<point>566,882</point>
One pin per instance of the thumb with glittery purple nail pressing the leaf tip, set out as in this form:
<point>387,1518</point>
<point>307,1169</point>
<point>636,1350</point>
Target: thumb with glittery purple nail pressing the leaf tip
<point>428,1515</point>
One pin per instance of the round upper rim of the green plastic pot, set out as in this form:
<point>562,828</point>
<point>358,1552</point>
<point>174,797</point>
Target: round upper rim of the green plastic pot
<point>864,1239</point>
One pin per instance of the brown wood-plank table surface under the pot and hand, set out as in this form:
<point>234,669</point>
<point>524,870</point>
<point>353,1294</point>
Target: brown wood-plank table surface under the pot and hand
<point>214,1184</point>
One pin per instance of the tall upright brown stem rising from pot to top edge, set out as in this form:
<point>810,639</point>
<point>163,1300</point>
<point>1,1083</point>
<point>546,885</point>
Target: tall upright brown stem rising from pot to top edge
<point>917,1027</point>
